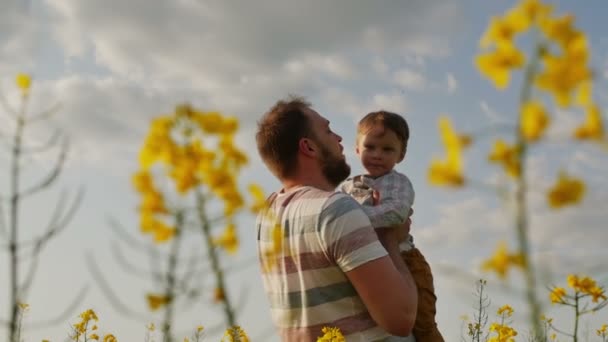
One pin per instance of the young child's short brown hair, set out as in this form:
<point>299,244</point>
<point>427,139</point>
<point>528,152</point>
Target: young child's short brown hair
<point>386,120</point>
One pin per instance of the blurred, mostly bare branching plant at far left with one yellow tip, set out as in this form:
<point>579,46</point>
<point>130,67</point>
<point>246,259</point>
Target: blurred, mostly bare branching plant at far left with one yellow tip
<point>24,253</point>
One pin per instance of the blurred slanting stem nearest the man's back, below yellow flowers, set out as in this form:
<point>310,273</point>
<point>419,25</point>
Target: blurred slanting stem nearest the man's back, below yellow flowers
<point>215,263</point>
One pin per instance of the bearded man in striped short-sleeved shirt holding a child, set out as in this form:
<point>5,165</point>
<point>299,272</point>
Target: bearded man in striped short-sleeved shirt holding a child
<point>322,262</point>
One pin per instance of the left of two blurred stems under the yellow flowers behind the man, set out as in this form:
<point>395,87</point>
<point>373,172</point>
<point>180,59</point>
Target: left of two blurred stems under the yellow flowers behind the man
<point>171,279</point>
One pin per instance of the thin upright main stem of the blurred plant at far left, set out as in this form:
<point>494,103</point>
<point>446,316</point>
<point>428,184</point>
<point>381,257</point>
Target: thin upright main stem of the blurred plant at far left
<point>13,221</point>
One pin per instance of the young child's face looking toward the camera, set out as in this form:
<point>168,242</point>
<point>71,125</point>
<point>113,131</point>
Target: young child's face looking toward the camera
<point>380,149</point>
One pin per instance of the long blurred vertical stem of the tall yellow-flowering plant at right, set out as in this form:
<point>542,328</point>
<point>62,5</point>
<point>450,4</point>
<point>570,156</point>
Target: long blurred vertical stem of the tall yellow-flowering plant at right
<point>521,200</point>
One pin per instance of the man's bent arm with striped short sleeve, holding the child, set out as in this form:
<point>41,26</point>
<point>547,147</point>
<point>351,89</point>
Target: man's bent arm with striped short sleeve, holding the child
<point>389,295</point>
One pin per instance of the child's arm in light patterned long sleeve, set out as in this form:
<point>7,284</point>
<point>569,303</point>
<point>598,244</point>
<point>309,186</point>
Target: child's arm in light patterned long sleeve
<point>396,198</point>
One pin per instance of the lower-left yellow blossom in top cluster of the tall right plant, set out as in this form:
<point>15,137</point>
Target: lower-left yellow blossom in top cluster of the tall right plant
<point>496,65</point>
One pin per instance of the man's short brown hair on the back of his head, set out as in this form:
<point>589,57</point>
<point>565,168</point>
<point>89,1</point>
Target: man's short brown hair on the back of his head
<point>279,133</point>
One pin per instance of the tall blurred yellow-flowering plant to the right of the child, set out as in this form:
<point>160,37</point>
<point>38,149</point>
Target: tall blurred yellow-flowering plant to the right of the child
<point>558,65</point>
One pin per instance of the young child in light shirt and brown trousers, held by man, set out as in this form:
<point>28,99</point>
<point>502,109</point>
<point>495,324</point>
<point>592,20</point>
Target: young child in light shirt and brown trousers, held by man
<point>381,144</point>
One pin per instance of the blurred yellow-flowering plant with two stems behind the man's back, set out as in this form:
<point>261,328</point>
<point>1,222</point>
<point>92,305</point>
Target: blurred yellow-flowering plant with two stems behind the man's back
<point>188,186</point>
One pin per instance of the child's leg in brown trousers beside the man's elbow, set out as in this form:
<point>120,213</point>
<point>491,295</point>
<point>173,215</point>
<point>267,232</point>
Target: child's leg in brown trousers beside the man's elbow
<point>425,328</point>
